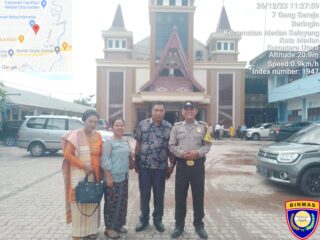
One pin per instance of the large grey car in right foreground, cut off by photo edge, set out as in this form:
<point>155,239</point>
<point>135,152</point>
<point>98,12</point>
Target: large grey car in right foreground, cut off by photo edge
<point>295,161</point>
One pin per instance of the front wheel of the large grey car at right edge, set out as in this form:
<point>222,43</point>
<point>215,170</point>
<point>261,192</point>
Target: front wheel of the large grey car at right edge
<point>310,182</point>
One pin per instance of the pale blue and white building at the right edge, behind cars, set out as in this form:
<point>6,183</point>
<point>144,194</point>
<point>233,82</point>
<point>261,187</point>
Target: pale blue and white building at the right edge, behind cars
<point>293,90</point>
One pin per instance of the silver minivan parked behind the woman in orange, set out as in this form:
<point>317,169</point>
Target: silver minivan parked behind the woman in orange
<point>39,134</point>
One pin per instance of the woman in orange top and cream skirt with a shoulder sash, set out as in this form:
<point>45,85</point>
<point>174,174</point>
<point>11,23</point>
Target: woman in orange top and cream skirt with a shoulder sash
<point>82,151</point>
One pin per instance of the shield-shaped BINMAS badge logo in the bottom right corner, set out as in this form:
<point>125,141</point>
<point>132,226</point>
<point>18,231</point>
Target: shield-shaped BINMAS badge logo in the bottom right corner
<point>302,217</point>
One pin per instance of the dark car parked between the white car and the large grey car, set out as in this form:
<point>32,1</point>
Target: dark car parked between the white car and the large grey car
<point>285,130</point>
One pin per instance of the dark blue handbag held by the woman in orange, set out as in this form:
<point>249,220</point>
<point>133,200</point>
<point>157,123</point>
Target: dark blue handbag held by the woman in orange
<point>89,192</point>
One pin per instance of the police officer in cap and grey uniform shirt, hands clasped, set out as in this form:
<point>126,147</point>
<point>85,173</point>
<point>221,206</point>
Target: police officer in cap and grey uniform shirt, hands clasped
<point>189,142</point>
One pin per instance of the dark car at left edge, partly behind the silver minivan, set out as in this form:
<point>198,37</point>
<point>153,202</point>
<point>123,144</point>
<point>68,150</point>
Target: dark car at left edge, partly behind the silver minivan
<point>8,132</point>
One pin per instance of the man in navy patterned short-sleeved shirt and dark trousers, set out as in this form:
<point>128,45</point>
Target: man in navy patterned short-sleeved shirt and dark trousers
<point>152,137</point>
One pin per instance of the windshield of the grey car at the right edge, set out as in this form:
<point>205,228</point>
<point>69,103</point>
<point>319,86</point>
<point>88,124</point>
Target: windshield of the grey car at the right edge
<point>309,135</point>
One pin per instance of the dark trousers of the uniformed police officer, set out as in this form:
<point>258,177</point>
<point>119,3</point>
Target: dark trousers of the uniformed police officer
<point>186,176</point>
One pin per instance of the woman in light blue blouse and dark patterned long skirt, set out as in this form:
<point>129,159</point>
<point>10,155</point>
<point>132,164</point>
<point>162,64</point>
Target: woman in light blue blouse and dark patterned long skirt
<point>115,163</point>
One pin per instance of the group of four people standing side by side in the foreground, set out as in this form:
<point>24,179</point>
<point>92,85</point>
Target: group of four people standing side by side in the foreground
<point>159,148</point>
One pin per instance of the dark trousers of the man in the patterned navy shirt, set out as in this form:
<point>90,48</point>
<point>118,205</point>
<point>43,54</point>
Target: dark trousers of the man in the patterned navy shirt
<point>155,179</point>
